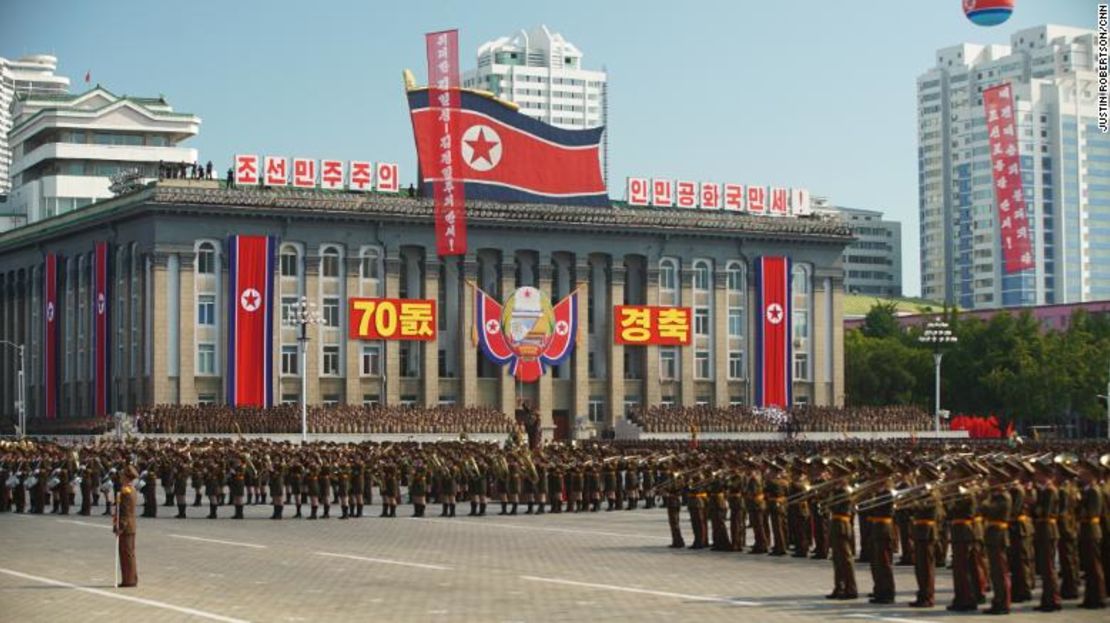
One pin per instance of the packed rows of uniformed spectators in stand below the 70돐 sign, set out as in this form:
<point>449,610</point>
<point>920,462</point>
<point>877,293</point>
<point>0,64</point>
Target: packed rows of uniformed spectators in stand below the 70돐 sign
<point>332,420</point>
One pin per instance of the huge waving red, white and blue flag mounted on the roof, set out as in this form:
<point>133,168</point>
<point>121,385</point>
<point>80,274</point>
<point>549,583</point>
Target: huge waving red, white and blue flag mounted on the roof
<point>507,156</point>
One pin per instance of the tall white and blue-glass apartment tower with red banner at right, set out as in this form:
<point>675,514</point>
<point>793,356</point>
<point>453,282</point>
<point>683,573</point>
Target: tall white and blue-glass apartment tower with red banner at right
<point>1065,165</point>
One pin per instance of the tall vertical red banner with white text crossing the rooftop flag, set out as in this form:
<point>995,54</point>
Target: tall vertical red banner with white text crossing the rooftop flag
<point>445,104</point>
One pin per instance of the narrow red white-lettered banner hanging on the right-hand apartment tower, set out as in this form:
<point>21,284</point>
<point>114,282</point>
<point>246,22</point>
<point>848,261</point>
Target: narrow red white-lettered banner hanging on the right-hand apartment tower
<point>1006,166</point>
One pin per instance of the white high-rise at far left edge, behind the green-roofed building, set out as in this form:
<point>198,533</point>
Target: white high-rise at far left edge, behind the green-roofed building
<point>34,75</point>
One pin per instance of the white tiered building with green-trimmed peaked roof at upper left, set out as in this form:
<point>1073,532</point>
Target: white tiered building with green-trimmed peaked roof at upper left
<point>65,148</point>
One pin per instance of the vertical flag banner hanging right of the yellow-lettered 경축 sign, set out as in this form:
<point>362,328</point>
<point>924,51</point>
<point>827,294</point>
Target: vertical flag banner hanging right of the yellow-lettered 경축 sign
<point>773,333</point>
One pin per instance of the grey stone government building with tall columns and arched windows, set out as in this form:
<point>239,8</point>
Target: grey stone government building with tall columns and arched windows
<point>169,285</point>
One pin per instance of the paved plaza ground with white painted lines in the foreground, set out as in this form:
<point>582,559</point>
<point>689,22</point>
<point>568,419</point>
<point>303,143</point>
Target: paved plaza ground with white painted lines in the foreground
<point>590,567</point>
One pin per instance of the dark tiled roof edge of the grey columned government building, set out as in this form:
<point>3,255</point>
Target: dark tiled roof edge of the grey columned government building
<point>289,204</point>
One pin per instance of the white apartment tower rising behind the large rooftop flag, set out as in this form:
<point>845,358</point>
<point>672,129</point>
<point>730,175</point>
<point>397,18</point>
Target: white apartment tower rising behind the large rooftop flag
<point>542,73</point>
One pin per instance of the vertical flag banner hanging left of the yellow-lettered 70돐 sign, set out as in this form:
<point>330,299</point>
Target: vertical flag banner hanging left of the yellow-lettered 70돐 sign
<point>250,320</point>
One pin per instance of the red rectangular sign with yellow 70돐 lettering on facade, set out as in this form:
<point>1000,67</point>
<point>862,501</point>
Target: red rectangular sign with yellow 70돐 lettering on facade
<point>392,319</point>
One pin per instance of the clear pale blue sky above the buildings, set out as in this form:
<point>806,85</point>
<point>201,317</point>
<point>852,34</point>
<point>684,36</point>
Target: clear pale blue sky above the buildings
<point>813,94</point>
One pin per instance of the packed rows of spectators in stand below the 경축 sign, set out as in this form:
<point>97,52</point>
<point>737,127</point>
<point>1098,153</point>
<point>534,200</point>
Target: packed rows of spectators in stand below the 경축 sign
<point>802,419</point>
